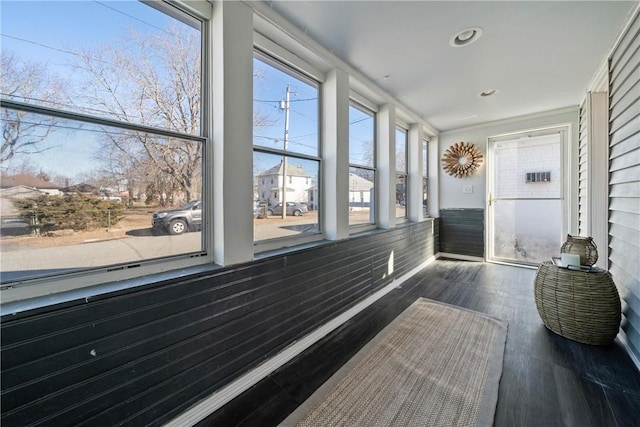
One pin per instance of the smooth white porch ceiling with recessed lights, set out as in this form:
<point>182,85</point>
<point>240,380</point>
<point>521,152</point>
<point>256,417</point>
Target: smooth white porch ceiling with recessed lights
<point>539,55</point>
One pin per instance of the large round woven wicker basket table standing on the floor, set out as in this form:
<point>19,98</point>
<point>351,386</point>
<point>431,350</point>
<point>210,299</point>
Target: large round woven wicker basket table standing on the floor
<point>584,307</point>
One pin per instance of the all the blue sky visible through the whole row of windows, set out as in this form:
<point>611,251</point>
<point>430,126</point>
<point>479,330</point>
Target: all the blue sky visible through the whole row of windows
<point>49,32</point>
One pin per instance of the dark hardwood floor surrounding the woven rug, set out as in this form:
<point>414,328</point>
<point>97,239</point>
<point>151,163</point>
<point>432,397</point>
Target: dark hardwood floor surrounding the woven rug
<point>547,380</point>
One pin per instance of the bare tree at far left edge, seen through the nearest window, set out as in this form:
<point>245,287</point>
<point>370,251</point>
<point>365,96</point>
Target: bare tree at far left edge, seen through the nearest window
<point>25,133</point>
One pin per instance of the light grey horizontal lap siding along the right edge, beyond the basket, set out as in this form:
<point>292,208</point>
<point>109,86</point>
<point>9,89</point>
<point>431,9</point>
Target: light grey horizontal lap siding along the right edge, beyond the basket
<point>624,177</point>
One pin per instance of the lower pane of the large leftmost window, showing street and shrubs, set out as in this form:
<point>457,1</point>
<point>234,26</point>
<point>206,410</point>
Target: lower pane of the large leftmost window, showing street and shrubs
<point>95,206</point>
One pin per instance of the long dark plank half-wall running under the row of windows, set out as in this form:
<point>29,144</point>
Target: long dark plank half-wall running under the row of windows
<point>144,356</point>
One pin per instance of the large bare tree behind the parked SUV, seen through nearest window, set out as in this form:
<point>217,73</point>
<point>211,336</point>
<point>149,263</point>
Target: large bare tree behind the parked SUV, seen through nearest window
<point>153,81</point>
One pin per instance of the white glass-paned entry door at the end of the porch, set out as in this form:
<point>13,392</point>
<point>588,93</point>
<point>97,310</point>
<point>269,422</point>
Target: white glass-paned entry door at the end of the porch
<point>526,204</point>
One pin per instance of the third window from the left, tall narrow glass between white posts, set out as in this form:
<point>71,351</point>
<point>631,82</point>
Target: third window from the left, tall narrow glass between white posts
<point>362,171</point>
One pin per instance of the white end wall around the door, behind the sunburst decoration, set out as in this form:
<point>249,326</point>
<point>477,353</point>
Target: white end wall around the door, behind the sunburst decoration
<point>451,193</point>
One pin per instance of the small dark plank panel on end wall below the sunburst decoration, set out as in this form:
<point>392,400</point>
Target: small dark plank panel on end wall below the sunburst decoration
<point>462,232</point>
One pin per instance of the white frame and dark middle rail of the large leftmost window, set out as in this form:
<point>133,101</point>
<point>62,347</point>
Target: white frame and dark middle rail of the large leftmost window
<point>30,293</point>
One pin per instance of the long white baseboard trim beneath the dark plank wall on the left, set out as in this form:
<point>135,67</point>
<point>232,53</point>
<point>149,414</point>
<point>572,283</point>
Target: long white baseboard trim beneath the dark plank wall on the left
<point>223,396</point>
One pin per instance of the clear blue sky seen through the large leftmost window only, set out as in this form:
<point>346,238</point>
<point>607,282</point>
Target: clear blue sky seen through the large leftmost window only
<point>49,33</point>
